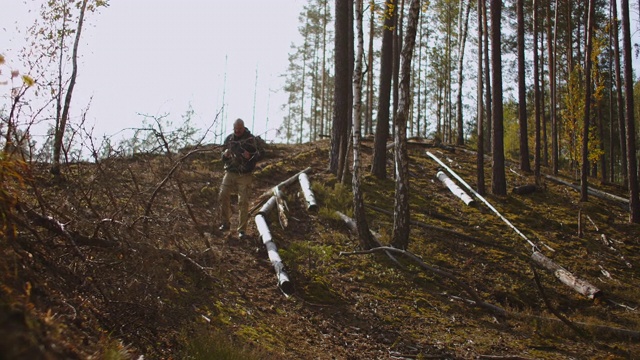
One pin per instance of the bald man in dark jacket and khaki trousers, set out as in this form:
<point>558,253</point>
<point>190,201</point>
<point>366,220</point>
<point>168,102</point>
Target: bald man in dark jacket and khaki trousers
<point>239,156</point>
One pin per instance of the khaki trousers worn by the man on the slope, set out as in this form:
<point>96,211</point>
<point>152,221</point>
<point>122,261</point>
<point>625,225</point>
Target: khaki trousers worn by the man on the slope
<point>242,184</point>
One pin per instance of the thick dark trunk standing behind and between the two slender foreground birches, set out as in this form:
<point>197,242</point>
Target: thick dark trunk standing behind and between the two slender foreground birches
<point>379,166</point>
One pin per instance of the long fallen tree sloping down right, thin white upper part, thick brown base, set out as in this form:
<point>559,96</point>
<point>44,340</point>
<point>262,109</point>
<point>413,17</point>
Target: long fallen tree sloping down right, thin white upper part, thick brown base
<point>581,286</point>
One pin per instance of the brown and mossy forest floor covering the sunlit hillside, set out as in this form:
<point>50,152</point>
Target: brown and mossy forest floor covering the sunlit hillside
<point>123,260</point>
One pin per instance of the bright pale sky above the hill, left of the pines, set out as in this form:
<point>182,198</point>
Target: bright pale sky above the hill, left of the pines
<point>159,57</point>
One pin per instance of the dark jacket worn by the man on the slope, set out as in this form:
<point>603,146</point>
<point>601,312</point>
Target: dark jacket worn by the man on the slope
<point>236,162</point>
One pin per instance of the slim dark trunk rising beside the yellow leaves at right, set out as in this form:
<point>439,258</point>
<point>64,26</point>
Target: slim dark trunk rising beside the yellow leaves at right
<point>584,180</point>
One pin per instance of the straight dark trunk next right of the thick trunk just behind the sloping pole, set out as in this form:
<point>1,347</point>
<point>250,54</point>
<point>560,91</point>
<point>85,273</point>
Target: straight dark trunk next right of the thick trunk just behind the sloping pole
<point>522,92</point>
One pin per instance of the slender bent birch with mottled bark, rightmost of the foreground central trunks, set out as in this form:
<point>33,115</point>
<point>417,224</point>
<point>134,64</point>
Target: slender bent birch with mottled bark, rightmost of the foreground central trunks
<point>401,218</point>
